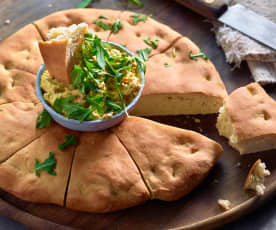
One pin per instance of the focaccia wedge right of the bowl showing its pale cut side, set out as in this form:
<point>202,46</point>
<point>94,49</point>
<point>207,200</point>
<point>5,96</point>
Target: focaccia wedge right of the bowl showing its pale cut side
<point>176,84</point>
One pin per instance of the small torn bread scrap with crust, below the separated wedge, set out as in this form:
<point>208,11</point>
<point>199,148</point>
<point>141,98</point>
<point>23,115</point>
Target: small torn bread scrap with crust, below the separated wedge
<point>256,177</point>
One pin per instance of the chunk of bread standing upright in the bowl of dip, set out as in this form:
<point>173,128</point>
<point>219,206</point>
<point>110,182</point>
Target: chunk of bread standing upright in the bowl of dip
<point>62,50</point>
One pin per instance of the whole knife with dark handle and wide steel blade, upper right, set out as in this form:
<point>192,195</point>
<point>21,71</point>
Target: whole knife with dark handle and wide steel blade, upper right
<point>238,17</point>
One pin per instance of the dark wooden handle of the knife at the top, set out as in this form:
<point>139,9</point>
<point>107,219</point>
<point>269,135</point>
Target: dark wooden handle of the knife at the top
<point>210,9</point>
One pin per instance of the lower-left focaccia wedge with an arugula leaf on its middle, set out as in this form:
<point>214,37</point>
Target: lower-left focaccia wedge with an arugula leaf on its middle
<point>18,177</point>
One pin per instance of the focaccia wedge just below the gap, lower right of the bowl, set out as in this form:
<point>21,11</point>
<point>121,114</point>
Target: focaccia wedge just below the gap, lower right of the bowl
<point>172,161</point>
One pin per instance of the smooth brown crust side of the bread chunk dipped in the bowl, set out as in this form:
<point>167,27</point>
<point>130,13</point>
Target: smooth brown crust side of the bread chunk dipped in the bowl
<point>54,54</point>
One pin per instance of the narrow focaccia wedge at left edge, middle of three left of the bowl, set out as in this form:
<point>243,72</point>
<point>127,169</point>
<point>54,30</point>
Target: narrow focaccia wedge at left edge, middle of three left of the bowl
<point>17,85</point>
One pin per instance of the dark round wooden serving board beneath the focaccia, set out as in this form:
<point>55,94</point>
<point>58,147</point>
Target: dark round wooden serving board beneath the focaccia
<point>198,210</point>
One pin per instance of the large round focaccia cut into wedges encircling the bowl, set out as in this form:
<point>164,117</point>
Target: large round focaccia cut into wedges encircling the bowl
<point>108,171</point>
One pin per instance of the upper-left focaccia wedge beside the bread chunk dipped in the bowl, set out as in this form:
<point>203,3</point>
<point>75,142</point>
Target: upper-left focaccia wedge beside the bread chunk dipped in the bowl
<point>20,50</point>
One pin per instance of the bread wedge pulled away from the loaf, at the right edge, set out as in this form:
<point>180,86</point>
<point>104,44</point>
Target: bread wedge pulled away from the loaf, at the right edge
<point>248,119</point>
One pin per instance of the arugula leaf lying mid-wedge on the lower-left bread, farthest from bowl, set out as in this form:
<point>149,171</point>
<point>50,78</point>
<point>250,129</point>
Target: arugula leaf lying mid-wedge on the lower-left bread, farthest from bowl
<point>49,165</point>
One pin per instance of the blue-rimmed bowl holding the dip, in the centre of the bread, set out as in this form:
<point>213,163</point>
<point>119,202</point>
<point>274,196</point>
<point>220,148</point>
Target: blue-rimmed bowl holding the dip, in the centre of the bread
<point>86,126</point>
